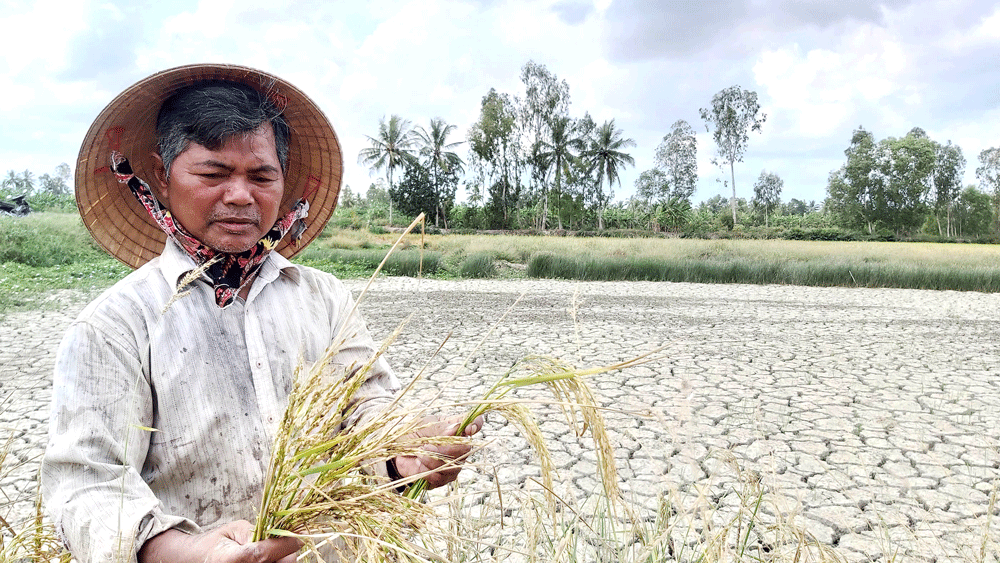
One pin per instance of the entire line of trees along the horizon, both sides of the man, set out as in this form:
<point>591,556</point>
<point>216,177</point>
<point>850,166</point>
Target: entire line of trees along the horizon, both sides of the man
<point>526,163</point>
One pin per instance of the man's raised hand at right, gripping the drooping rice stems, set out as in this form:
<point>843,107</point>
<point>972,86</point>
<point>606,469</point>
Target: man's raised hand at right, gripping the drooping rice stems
<point>452,456</point>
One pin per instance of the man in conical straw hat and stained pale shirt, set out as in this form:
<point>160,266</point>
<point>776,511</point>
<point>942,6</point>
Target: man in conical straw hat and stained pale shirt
<point>238,160</point>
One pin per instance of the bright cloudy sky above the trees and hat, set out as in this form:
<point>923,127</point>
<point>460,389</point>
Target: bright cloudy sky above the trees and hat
<point>821,69</point>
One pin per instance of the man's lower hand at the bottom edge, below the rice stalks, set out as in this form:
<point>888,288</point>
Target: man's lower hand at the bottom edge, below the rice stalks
<point>227,544</point>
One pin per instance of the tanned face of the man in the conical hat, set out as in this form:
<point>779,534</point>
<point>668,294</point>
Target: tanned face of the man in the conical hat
<point>227,198</point>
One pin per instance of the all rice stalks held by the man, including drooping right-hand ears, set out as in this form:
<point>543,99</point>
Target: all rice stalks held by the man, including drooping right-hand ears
<point>321,484</point>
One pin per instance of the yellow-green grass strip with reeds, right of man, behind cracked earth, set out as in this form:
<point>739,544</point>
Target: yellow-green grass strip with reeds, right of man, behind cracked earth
<point>963,267</point>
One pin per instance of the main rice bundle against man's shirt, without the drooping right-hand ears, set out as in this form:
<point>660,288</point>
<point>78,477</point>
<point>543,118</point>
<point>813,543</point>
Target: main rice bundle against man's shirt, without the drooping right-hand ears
<point>321,481</point>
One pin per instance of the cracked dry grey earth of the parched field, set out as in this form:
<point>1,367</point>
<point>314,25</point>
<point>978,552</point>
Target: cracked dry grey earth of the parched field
<point>871,417</point>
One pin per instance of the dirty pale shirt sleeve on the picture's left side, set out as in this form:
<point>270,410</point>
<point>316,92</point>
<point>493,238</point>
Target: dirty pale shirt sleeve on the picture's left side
<point>99,431</point>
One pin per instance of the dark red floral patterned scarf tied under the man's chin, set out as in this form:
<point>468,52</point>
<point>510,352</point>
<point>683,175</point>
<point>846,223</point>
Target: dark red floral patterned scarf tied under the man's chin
<point>230,272</point>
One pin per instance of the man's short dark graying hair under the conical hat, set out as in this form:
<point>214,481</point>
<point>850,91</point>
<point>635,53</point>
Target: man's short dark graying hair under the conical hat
<point>208,113</point>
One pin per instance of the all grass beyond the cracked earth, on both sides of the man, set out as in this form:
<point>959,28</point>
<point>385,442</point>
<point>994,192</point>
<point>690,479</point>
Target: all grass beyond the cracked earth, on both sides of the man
<point>53,251</point>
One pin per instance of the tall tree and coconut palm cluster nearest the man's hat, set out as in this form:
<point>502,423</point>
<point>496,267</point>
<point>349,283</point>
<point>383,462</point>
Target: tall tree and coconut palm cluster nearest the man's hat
<point>526,159</point>
